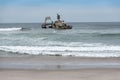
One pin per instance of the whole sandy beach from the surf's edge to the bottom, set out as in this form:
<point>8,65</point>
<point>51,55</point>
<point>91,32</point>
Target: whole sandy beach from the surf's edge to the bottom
<point>58,67</point>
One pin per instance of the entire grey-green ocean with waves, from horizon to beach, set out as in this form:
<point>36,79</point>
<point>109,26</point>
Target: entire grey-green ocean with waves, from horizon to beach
<point>85,39</point>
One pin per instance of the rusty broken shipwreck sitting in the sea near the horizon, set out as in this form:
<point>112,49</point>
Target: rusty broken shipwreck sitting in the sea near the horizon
<point>58,24</point>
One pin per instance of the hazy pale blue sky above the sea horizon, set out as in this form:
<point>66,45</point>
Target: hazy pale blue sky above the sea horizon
<point>22,11</point>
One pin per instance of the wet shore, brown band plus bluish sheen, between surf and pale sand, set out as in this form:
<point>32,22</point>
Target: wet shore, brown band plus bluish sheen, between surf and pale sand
<point>57,63</point>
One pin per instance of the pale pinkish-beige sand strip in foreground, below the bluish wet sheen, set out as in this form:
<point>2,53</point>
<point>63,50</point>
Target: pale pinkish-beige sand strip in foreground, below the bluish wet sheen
<point>81,74</point>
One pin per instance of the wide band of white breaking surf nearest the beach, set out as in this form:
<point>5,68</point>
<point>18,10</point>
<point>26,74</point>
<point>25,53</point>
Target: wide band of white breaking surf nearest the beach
<point>99,51</point>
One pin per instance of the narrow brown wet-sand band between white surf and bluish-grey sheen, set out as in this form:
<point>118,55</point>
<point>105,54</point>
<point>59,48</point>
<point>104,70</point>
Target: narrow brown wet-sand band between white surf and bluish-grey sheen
<point>62,58</point>
